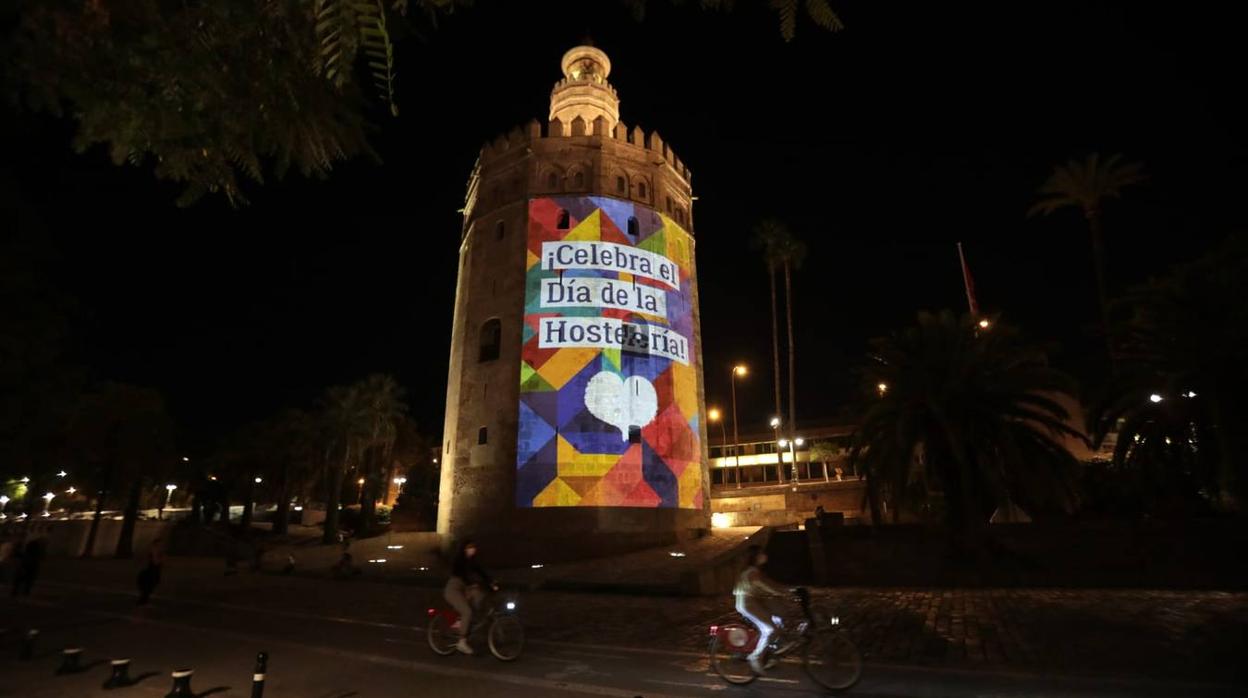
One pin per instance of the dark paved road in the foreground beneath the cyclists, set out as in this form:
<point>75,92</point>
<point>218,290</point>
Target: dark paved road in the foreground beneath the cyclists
<point>338,646</point>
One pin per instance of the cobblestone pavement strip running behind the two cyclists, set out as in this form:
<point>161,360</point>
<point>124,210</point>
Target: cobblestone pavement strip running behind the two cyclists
<point>1190,636</point>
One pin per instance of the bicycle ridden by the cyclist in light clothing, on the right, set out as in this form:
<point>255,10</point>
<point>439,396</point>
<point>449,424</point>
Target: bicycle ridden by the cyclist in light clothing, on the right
<point>829,656</point>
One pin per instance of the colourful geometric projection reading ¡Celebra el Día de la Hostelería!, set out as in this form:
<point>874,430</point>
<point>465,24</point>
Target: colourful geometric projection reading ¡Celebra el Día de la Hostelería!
<point>608,375</point>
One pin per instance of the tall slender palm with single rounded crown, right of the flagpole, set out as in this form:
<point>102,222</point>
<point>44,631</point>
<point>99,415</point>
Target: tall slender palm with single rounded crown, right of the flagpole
<point>1086,187</point>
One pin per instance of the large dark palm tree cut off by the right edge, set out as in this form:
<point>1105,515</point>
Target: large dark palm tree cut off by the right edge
<point>1180,401</point>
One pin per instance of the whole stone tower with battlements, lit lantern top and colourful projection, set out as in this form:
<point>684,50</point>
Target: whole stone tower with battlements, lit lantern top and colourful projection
<point>575,419</point>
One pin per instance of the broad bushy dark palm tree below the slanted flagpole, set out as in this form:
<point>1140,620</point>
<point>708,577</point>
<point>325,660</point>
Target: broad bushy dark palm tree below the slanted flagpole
<point>973,413</point>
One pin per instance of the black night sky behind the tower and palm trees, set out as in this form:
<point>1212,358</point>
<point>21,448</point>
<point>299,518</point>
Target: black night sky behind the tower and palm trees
<point>919,127</point>
